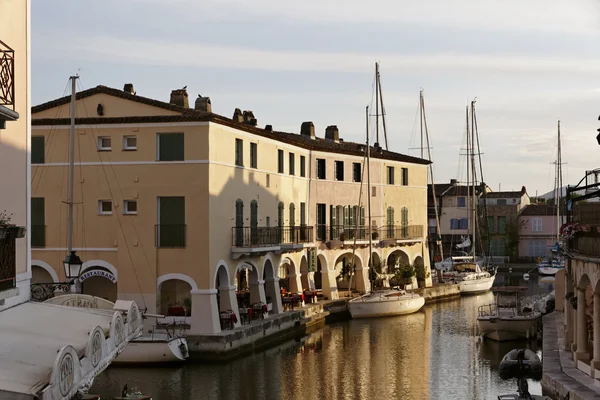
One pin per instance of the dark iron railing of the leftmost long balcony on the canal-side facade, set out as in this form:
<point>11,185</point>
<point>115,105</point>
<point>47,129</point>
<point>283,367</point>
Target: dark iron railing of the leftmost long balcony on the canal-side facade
<point>263,236</point>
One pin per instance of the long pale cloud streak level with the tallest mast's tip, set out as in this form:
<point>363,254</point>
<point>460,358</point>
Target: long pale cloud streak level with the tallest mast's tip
<point>103,48</point>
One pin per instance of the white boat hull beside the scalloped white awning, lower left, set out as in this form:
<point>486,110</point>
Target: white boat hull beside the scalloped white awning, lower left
<point>144,350</point>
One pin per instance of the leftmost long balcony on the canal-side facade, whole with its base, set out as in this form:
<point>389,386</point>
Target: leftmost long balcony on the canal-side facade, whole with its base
<point>263,238</point>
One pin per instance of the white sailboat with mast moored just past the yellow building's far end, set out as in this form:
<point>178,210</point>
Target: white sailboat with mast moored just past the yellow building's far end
<point>471,276</point>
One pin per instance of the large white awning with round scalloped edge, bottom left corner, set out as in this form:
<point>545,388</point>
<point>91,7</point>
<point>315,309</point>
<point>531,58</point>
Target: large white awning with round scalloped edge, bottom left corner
<point>52,351</point>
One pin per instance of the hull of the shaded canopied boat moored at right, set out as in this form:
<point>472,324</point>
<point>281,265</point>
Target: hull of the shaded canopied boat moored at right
<point>511,328</point>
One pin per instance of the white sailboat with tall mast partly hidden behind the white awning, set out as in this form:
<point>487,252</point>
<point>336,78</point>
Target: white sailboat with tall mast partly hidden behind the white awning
<point>152,347</point>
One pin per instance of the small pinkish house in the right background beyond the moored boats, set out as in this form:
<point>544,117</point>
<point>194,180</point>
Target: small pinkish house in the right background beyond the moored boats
<point>537,230</point>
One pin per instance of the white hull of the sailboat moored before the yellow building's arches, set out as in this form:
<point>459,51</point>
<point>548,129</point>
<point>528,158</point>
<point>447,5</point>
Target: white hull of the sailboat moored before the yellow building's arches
<point>385,304</point>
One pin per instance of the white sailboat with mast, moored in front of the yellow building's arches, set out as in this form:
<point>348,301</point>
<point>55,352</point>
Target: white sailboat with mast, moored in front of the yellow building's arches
<point>386,302</point>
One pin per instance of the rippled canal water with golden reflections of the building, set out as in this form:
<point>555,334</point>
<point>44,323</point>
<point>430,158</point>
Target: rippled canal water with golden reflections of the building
<point>433,354</point>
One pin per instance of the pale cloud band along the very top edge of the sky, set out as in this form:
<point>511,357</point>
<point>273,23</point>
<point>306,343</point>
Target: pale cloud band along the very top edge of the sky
<point>543,15</point>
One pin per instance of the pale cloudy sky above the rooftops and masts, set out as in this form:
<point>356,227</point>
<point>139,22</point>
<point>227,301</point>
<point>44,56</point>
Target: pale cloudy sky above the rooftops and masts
<point>528,64</point>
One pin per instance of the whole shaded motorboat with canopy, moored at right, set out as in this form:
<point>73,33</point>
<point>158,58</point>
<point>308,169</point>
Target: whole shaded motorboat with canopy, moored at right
<point>504,320</point>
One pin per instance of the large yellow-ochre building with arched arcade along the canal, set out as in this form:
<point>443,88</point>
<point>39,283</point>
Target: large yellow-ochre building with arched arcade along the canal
<point>181,206</point>
